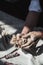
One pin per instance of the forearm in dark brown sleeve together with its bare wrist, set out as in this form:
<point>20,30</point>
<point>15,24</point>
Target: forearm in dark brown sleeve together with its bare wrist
<point>31,21</point>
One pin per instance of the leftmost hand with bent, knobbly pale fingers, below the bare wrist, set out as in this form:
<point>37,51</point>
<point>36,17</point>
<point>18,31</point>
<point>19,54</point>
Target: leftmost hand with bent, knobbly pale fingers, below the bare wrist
<point>16,39</point>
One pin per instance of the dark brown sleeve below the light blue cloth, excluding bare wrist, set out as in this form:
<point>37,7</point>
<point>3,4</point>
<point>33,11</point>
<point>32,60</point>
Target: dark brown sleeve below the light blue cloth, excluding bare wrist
<point>32,19</point>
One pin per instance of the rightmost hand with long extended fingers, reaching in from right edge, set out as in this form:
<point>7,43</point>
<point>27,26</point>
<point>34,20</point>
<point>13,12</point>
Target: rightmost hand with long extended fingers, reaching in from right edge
<point>31,36</point>
